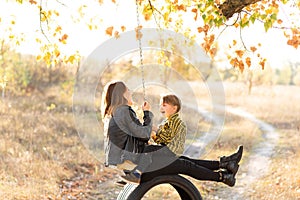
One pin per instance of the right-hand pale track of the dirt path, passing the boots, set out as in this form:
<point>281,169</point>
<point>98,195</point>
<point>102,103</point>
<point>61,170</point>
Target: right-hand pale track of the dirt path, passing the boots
<point>257,164</point>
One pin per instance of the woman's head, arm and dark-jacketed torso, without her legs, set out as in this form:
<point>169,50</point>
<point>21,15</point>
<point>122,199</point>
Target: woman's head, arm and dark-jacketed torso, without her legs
<point>126,135</point>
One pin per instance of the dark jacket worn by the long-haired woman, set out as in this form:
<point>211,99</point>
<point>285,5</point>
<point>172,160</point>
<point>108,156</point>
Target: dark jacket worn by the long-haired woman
<point>125,129</point>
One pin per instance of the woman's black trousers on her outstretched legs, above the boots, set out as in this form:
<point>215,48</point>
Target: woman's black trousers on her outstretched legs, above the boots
<point>167,163</point>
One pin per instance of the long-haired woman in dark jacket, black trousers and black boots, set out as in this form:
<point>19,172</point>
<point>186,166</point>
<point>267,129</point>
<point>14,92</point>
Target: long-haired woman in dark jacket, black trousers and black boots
<point>125,125</point>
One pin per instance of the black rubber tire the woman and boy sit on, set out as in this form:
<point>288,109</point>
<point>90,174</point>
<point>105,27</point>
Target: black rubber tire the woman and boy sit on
<point>184,187</point>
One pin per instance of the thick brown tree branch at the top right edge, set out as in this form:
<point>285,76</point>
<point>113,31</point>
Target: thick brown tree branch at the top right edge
<point>230,7</point>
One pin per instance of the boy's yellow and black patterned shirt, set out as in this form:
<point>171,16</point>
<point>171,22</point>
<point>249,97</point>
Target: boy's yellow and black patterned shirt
<point>172,133</point>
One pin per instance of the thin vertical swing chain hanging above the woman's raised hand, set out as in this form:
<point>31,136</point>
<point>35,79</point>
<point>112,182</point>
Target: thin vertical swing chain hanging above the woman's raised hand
<point>139,37</point>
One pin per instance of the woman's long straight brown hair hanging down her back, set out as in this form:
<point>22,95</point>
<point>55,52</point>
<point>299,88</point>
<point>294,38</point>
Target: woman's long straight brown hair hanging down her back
<point>114,97</point>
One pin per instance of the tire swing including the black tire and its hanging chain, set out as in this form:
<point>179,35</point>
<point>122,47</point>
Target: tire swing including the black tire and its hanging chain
<point>185,188</point>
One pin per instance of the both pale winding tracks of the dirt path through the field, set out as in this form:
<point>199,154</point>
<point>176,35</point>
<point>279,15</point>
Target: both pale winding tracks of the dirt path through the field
<point>254,167</point>
